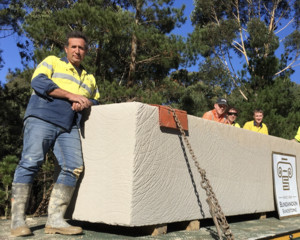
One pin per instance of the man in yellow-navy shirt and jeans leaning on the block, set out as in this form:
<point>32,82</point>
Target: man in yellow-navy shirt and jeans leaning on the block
<point>61,90</point>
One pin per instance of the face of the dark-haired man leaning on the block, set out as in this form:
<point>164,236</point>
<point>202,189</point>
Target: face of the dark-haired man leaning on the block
<point>76,51</point>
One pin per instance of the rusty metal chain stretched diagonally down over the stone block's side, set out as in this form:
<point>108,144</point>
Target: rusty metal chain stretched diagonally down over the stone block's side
<point>214,207</point>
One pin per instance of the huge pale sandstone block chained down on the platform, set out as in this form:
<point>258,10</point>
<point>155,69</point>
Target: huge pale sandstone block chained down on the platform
<point>137,174</point>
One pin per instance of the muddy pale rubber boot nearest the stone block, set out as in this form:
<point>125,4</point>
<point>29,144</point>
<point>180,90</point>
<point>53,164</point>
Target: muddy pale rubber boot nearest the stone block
<point>60,198</point>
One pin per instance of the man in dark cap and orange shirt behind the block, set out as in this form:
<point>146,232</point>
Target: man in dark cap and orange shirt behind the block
<point>218,114</point>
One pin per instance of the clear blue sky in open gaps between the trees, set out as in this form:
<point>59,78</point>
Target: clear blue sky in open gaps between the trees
<point>12,58</point>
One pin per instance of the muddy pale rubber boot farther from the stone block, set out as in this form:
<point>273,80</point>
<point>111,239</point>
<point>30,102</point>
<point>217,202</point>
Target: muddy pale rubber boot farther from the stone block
<point>19,201</point>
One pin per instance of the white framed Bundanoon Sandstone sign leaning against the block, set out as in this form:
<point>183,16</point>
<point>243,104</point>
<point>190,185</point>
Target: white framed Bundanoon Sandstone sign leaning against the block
<point>285,180</point>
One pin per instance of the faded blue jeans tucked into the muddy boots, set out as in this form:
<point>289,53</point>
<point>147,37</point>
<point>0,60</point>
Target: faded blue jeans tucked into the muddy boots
<point>39,137</point>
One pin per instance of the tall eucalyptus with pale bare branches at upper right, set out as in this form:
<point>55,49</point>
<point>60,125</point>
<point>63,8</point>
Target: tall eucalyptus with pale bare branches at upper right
<point>251,31</point>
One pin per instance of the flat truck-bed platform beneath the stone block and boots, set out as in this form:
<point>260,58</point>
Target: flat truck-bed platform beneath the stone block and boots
<point>259,229</point>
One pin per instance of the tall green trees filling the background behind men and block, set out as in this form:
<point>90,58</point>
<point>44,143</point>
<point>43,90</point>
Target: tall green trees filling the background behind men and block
<point>135,57</point>
